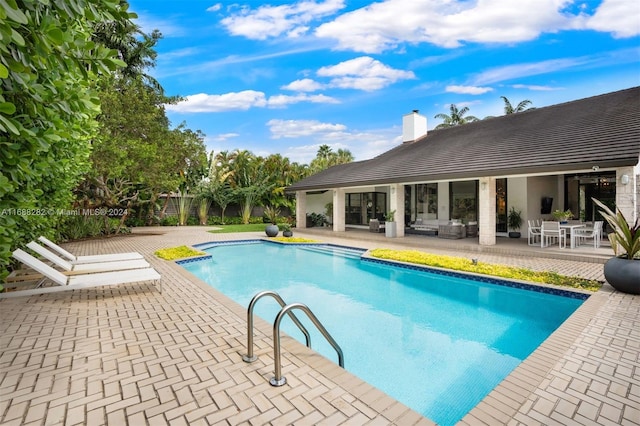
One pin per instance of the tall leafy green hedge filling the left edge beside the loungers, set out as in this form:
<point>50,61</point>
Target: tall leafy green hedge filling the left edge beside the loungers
<point>48,70</point>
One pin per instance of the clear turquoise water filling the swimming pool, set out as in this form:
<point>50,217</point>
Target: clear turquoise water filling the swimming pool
<point>437,343</point>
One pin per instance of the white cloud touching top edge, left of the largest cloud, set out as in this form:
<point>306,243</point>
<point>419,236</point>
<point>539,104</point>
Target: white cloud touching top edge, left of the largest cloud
<point>272,21</point>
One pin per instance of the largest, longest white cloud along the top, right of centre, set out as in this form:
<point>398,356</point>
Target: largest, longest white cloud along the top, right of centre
<point>449,23</point>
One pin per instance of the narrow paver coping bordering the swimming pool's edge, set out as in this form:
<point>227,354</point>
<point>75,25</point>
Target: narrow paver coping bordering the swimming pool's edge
<point>504,401</point>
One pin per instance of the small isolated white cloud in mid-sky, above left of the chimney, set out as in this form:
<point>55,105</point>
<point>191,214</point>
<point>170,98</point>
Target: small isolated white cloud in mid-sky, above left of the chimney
<point>363,73</point>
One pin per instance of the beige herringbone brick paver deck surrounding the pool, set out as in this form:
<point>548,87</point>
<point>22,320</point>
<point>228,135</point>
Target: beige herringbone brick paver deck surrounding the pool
<point>132,355</point>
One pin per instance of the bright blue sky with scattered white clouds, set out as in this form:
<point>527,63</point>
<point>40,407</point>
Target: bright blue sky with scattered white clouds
<point>288,76</point>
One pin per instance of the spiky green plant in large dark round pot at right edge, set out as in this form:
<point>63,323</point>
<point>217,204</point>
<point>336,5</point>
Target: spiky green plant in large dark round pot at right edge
<point>623,270</point>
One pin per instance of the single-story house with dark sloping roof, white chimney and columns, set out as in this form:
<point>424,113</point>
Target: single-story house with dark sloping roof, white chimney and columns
<point>537,161</point>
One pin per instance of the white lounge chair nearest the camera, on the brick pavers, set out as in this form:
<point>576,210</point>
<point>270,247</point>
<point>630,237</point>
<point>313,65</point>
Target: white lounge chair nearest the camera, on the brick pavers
<point>64,283</point>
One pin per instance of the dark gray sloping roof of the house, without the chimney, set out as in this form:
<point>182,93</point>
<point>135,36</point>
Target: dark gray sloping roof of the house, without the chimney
<point>602,130</point>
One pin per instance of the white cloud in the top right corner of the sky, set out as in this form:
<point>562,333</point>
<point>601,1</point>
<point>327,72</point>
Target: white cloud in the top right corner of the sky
<point>619,17</point>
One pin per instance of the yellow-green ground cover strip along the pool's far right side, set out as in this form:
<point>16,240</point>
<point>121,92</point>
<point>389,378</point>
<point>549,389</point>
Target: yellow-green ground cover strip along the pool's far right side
<point>463,264</point>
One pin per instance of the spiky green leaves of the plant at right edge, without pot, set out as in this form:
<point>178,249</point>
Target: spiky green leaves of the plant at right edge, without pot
<point>625,239</point>
